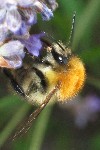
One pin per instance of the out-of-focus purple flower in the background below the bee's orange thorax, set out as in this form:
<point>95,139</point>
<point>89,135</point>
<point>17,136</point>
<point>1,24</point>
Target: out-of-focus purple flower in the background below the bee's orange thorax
<point>85,111</point>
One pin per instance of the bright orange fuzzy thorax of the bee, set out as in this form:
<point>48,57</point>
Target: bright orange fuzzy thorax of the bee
<point>71,79</point>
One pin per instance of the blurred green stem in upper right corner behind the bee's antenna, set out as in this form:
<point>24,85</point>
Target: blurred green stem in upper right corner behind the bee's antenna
<point>87,19</point>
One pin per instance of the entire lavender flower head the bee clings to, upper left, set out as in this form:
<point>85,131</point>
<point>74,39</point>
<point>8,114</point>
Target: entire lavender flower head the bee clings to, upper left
<point>16,19</point>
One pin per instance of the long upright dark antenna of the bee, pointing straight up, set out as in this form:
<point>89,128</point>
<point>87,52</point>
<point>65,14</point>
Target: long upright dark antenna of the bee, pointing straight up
<point>69,44</point>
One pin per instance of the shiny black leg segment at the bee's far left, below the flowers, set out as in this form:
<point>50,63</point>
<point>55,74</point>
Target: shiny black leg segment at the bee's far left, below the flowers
<point>14,83</point>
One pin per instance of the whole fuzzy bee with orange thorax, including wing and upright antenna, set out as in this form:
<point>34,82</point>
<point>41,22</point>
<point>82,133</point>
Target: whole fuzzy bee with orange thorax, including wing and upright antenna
<point>56,72</point>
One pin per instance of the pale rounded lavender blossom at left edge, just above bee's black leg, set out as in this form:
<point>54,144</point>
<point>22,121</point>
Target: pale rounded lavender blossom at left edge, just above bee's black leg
<point>13,53</point>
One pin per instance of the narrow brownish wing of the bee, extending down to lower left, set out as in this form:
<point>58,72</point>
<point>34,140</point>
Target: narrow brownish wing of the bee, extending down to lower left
<point>24,128</point>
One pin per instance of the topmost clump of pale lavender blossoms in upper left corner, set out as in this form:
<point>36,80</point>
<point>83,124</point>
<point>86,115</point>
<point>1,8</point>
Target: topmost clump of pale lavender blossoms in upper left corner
<point>13,13</point>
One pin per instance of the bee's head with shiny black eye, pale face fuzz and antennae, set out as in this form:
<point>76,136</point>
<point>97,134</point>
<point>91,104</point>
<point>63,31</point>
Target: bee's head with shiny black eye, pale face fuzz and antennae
<point>61,52</point>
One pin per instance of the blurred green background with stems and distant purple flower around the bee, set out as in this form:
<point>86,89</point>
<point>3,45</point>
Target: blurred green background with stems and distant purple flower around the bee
<point>70,126</point>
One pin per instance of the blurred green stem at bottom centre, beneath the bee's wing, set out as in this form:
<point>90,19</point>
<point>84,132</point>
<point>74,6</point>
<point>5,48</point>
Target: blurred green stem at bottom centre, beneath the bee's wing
<point>40,128</point>
